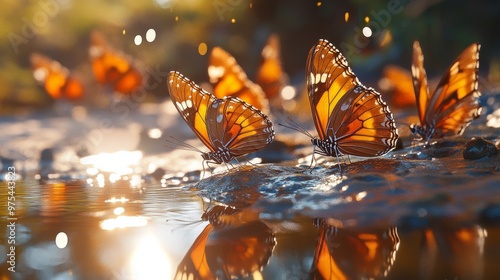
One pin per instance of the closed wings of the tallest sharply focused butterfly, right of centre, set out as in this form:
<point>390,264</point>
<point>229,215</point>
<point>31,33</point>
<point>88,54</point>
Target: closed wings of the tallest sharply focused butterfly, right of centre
<point>343,109</point>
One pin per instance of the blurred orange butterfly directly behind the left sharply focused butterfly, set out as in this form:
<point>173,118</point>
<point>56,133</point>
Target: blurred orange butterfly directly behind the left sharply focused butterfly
<point>229,79</point>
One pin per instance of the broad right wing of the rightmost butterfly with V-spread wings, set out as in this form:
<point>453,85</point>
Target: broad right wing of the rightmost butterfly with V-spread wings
<point>454,103</point>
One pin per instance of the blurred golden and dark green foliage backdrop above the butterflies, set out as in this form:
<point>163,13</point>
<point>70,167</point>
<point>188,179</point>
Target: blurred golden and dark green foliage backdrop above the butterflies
<point>184,30</point>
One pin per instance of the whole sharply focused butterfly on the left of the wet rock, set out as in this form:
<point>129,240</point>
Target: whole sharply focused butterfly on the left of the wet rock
<point>229,127</point>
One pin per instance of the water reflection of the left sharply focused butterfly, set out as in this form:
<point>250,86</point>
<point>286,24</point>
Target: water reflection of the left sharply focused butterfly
<point>227,251</point>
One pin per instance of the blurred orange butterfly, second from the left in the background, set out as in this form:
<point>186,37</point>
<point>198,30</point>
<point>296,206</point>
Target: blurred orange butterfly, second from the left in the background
<point>113,67</point>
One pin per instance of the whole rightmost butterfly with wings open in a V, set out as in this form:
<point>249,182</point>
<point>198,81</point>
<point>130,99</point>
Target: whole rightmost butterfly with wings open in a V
<point>454,103</point>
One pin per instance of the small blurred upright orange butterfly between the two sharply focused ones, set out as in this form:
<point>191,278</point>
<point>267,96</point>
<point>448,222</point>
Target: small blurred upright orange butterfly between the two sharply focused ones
<point>270,75</point>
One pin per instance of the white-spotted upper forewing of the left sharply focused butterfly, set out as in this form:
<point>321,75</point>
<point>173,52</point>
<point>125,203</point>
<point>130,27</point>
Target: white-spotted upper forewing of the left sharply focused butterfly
<point>192,102</point>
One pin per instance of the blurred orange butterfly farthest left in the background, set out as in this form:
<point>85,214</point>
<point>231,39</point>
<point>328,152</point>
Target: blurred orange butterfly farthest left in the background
<point>55,78</point>
